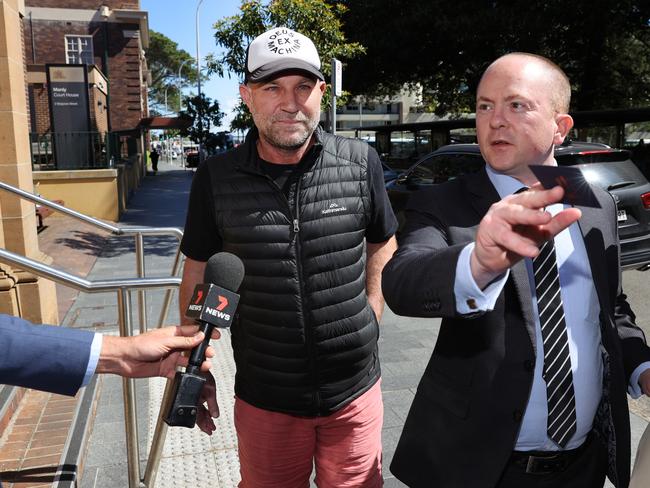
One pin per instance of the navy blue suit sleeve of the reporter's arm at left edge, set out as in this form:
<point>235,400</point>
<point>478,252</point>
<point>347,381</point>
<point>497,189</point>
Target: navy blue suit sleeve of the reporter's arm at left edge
<point>43,357</point>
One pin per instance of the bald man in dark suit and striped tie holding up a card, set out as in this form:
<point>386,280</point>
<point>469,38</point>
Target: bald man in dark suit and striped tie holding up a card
<point>527,383</point>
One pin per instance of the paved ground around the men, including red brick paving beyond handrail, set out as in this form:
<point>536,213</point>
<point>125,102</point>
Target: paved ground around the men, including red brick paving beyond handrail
<point>191,459</point>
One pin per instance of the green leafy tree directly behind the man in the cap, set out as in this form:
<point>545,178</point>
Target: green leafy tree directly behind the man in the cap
<point>317,19</point>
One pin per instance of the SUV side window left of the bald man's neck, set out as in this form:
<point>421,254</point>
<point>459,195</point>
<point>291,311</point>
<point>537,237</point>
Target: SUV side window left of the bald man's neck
<point>444,167</point>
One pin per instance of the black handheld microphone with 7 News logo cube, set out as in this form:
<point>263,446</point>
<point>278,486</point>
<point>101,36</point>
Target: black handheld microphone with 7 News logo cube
<point>213,304</point>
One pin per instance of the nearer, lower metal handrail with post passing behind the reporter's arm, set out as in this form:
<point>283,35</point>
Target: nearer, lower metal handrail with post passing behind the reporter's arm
<point>122,287</point>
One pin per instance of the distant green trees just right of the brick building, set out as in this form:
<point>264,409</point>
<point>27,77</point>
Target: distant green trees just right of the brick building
<point>164,58</point>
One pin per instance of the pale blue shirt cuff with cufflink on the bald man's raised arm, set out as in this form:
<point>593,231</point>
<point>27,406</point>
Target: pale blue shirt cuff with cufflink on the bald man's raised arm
<point>470,299</point>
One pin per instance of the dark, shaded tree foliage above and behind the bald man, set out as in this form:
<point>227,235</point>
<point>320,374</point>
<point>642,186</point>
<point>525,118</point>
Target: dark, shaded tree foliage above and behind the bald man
<point>444,46</point>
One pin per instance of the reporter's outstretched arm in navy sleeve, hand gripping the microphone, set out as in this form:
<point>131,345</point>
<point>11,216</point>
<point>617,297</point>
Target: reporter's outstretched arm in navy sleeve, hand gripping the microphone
<point>61,360</point>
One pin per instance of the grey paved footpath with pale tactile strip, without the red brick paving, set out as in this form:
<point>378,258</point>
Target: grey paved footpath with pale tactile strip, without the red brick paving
<point>191,458</point>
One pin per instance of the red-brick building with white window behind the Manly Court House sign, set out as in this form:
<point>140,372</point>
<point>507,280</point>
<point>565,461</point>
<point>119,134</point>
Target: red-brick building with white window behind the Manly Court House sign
<point>110,36</point>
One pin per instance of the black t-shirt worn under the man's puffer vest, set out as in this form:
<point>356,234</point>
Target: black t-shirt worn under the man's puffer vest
<point>202,238</point>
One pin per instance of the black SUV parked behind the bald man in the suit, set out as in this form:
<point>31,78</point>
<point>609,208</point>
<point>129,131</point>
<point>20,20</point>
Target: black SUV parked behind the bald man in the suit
<point>611,169</point>
